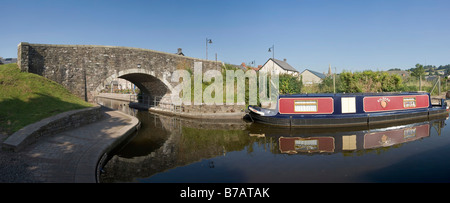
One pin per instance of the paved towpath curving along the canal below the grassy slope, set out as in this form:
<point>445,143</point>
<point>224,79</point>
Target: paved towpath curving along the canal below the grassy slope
<point>67,157</point>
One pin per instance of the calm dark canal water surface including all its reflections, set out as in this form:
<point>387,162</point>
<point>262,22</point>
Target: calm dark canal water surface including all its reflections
<point>173,150</point>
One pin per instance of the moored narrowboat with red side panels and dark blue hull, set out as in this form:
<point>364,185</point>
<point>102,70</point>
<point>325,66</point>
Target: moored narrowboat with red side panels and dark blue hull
<point>345,110</point>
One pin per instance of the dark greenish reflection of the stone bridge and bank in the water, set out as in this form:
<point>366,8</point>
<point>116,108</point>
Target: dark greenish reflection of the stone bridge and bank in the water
<point>165,142</point>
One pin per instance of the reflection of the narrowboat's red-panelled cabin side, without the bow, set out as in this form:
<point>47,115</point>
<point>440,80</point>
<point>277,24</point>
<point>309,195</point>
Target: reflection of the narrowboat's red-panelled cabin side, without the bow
<point>357,140</point>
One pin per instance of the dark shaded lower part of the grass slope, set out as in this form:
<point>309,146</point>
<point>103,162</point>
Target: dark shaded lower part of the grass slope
<point>16,113</point>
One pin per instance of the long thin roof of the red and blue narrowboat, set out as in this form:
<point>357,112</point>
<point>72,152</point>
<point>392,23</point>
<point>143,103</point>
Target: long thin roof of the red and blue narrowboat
<point>353,94</point>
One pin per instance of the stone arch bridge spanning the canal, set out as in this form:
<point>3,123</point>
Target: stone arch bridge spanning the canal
<point>86,69</point>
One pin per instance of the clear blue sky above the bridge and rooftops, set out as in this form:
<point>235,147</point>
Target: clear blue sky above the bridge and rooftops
<point>351,35</point>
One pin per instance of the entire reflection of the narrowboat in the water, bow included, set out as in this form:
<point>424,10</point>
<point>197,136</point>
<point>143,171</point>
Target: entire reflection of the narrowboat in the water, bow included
<point>328,141</point>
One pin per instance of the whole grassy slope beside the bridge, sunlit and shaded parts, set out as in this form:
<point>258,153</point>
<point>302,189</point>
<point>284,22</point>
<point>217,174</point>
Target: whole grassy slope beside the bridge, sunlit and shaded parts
<point>26,98</point>
